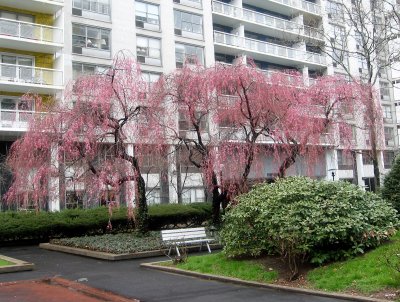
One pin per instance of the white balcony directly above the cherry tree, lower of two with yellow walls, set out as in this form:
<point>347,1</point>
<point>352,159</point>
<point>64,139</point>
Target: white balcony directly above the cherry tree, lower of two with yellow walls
<point>18,78</point>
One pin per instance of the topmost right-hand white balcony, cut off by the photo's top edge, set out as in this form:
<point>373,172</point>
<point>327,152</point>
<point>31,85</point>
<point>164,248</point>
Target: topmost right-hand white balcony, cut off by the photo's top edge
<point>288,6</point>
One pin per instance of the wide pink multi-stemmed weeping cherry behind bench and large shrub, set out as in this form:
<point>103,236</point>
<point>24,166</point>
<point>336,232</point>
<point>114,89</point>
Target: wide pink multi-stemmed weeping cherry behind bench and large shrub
<point>231,114</point>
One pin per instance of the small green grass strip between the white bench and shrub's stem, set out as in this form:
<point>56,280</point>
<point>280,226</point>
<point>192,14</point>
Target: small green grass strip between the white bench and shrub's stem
<point>217,264</point>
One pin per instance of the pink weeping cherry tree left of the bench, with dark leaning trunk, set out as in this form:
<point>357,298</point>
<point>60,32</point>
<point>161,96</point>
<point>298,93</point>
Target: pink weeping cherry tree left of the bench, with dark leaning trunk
<point>95,140</point>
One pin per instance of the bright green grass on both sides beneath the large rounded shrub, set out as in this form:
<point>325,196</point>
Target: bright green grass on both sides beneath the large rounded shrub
<point>365,274</point>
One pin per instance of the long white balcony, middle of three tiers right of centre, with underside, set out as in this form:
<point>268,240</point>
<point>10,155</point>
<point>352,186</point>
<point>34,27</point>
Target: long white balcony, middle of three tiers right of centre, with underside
<point>228,14</point>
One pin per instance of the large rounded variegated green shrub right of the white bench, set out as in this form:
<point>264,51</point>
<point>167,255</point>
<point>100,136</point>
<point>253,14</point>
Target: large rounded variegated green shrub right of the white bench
<point>301,218</point>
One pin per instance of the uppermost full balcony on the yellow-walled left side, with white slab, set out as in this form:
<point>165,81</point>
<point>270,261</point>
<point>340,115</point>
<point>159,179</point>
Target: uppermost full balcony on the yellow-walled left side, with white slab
<point>30,36</point>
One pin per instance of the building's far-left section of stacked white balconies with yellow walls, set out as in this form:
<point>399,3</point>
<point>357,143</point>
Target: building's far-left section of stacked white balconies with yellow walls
<point>31,60</point>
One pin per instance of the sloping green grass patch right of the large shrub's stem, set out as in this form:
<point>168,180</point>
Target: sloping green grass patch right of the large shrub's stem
<point>367,273</point>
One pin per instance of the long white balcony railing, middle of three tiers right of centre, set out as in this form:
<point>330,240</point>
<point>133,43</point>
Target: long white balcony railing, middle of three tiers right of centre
<point>267,20</point>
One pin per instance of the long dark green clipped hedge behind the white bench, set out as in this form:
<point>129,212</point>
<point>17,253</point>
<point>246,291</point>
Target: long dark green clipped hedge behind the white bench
<point>42,226</point>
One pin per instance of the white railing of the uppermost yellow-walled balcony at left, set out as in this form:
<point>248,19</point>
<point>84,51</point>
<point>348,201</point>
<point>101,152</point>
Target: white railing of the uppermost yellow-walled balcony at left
<point>31,31</point>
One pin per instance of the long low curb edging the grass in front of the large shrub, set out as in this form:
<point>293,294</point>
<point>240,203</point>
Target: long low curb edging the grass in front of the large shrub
<point>155,265</point>
